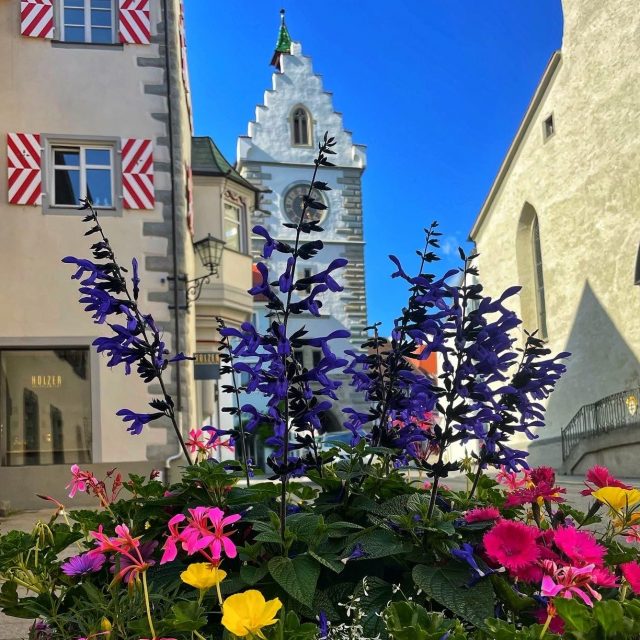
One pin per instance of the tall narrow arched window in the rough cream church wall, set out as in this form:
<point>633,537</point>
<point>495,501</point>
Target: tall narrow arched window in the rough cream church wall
<point>531,272</point>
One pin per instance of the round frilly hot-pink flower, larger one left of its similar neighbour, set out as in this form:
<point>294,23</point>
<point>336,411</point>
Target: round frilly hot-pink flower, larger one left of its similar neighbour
<point>512,544</point>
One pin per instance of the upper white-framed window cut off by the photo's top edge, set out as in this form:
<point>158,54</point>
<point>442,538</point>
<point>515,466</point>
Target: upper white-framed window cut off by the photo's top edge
<point>88,21</point>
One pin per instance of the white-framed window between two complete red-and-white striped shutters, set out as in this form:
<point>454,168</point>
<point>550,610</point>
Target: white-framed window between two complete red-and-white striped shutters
<point>82,171</point>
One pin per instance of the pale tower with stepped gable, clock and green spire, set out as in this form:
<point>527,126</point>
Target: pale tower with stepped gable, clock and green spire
<point>277,156</point>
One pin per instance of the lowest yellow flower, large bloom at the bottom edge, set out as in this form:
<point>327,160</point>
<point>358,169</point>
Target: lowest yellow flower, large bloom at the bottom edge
<point>246,613</point>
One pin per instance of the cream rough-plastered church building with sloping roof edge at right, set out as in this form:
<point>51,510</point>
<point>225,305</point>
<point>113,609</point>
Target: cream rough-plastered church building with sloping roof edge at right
<point>562,219</point>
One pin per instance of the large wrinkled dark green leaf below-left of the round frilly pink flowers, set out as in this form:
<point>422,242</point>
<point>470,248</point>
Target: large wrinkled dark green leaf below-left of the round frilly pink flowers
<point>448,586</point>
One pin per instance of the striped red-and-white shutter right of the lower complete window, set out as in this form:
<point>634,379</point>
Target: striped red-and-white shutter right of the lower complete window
<point>137,174</point>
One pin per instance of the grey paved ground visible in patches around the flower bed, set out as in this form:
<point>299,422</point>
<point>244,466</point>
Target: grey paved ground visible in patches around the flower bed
<point>14,629</point>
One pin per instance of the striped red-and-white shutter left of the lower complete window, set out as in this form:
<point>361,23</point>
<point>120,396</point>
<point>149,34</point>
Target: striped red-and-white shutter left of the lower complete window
<point>24,157</point>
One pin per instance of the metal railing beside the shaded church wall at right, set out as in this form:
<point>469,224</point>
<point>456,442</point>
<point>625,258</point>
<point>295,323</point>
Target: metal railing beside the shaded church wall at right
<point>616,411</point>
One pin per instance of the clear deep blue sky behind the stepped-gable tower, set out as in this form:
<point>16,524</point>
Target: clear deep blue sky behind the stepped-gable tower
<point>434,88</point>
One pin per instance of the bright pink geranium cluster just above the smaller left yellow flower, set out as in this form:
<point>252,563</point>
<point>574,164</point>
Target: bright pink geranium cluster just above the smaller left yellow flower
<point>203,533</point>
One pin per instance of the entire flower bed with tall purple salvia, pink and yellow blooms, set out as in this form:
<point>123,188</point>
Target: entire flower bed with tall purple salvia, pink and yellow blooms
<point>340,543</point>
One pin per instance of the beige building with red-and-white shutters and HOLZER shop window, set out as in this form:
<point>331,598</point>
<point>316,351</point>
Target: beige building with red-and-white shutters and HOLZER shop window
<point>95,102</point>
